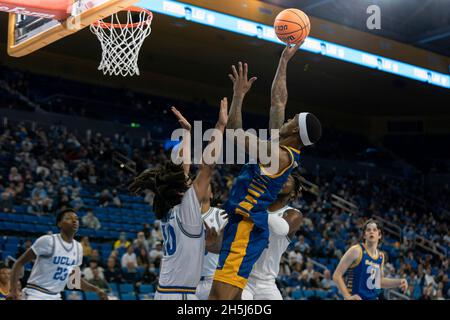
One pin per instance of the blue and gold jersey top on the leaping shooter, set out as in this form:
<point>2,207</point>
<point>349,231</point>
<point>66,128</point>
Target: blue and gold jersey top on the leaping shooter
<point>253,191</point>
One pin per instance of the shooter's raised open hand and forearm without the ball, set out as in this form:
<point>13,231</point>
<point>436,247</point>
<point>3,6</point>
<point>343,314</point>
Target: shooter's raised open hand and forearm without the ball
<point>241,85</point>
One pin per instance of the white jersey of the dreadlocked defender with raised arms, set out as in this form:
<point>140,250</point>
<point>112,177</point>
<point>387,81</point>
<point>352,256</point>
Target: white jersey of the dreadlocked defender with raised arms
<point>184,247</point>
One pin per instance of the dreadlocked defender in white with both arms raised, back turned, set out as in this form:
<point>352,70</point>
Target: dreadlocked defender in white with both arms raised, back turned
<point>177,204</point>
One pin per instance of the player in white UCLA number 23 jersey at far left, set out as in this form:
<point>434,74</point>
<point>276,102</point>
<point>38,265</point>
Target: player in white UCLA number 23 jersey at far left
<point>55,257</point>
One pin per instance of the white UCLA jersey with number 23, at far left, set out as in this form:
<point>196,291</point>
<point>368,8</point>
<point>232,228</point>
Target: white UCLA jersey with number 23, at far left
<point>55,260</point>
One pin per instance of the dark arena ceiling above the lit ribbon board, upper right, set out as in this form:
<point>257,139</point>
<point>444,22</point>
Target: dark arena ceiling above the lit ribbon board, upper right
<point>422,23</point>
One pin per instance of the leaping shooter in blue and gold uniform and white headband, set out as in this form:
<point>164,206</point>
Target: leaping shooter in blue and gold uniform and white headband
<point>257,186</point>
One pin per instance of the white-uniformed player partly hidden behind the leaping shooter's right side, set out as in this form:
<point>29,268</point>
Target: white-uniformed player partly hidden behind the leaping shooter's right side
<point>284,222</point>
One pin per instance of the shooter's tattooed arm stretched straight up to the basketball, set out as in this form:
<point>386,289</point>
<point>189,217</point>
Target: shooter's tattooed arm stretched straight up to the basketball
<point>279,93</point>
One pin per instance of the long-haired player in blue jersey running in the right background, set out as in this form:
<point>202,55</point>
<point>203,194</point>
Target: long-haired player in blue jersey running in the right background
<point>364,266</point>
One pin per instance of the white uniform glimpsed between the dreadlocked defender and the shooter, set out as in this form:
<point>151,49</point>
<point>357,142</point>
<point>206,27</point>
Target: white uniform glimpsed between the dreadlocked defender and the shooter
<point>214,219</point>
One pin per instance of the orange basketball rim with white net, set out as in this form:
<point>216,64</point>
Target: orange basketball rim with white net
<point>121,42</point>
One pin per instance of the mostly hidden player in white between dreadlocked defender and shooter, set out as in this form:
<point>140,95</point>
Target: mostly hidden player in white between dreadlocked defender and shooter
<point>215,220</point>
